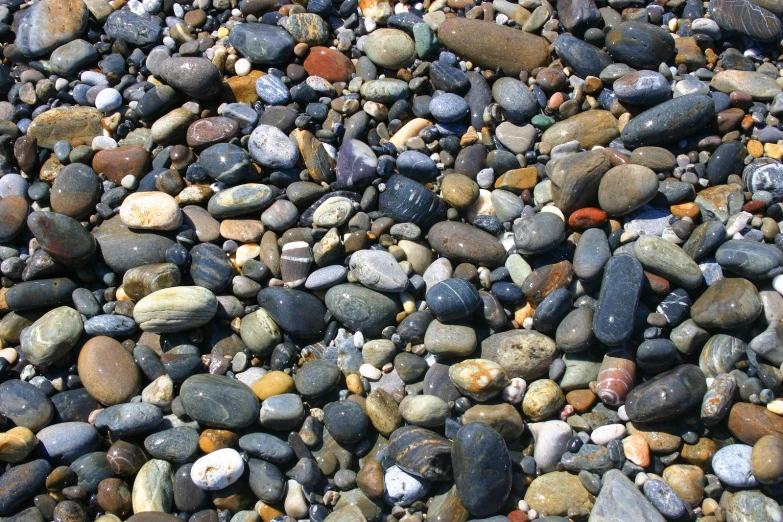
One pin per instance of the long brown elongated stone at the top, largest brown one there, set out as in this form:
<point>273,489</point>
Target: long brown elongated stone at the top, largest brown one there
<point>492,46</point>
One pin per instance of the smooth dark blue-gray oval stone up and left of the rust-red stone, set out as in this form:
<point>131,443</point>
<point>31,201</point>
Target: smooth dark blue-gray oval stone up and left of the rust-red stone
<point>262,43</point>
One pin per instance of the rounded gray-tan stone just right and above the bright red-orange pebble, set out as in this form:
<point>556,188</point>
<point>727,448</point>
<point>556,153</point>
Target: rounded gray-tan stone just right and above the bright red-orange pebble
<point>626,188</point>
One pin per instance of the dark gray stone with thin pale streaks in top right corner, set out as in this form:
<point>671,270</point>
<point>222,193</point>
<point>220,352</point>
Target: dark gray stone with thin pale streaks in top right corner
<point>748,18</point>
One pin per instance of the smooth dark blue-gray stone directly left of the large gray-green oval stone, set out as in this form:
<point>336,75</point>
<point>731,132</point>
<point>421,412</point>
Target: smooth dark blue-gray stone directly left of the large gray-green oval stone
<point>298,313</point>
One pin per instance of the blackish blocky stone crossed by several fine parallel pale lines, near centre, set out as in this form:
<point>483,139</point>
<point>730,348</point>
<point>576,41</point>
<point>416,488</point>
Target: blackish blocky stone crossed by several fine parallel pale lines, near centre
<point>406,201</point>
